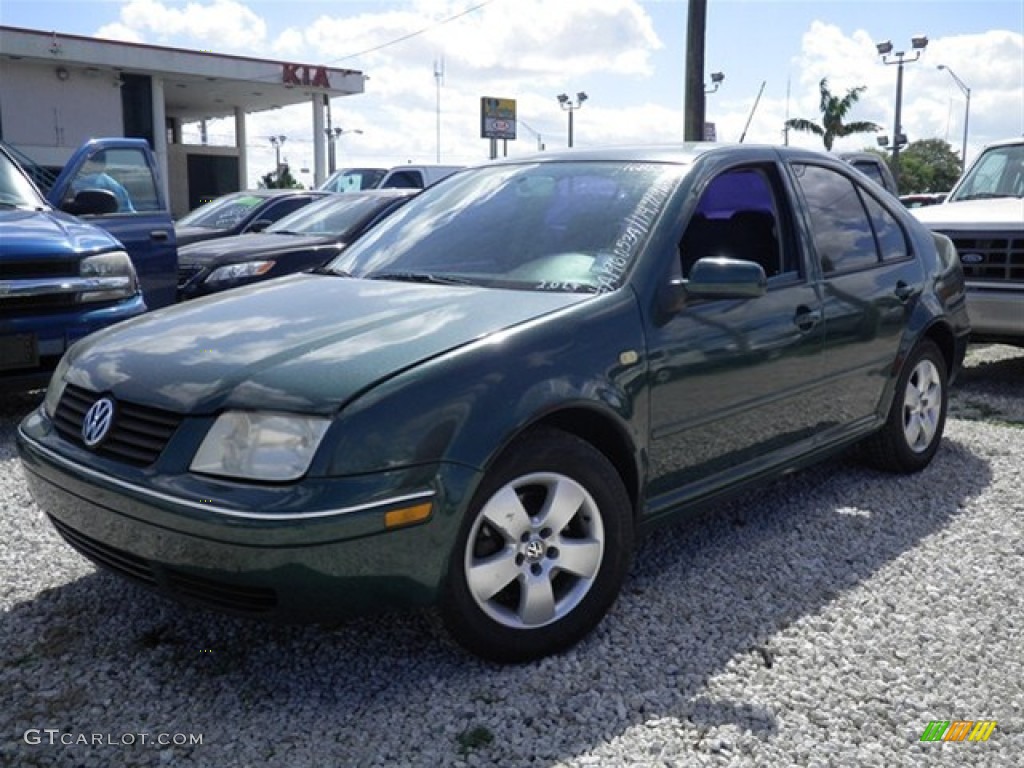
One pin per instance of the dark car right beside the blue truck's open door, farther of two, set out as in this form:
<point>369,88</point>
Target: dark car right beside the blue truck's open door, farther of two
<point>241,212</point>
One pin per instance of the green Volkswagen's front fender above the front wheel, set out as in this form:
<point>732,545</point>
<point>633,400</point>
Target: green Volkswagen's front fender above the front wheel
<point>466,406</point>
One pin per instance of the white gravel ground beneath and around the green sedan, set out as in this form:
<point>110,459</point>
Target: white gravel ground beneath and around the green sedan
<point>823,621</point>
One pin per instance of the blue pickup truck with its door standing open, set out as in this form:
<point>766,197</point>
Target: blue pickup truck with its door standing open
<point>98,249</point>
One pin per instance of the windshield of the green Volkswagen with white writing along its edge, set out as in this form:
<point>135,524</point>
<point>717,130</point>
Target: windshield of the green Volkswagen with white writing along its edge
<point>573,227</point>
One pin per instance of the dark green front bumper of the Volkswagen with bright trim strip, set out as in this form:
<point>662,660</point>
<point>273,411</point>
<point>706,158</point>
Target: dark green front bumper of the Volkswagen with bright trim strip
<point>302,563</point>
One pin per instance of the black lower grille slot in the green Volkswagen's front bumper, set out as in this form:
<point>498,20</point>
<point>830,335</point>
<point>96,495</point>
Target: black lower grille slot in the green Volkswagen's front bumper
<point>187,587</point>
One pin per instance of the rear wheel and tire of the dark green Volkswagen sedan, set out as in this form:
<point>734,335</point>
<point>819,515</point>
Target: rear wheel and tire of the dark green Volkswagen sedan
<point>918,416</point>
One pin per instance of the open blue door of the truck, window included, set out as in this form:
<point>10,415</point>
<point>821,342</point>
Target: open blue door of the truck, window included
<point>143,222</point>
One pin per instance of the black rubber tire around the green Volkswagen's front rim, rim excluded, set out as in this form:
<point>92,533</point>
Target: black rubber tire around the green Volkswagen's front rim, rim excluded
<point>543,451</point>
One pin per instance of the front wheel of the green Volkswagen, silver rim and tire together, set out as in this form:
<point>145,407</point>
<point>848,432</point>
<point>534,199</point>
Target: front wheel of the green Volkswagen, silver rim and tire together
<point>543,553</point>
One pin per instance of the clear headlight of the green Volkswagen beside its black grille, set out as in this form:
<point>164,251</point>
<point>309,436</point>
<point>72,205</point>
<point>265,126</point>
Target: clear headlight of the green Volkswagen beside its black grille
<point>261,446</point>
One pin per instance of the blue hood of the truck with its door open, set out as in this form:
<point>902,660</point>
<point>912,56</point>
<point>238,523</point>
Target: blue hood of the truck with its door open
<point>46,234</point>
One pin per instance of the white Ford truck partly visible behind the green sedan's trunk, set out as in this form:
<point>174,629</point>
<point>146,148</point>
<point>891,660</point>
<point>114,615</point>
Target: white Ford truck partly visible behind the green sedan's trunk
<point>985,217</point>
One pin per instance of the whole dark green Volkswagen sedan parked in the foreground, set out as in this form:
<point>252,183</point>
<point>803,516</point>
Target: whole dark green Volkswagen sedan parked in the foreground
<point>485,403</point>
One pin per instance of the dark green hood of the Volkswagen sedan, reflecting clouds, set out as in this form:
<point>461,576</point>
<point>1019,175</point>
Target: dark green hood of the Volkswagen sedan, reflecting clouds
<point>307,343</point>
